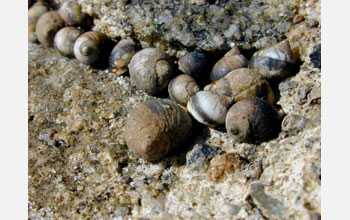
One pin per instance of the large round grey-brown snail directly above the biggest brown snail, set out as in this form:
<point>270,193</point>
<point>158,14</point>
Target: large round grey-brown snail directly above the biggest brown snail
<point>151,69</point>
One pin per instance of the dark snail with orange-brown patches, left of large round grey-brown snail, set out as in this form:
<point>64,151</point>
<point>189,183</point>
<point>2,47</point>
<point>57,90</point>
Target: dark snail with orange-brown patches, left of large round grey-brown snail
<point>121,55</point>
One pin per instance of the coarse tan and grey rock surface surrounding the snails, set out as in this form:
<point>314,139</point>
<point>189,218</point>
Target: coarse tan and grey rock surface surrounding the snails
<point>79,163</point>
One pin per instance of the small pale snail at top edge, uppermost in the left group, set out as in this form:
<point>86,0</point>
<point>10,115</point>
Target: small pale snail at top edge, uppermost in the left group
<point>71,13</point>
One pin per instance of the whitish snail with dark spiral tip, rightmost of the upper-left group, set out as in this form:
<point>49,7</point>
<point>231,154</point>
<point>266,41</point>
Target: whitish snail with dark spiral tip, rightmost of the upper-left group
<point>88,47</point>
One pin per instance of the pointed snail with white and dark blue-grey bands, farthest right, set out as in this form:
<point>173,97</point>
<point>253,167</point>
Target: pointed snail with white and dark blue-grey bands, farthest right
<point>273,62</point>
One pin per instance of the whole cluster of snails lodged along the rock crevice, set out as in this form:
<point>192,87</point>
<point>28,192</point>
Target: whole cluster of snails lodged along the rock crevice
<point>238,96</point>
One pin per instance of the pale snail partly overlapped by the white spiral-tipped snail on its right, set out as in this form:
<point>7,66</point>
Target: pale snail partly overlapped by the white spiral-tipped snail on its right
<point>64,40</point>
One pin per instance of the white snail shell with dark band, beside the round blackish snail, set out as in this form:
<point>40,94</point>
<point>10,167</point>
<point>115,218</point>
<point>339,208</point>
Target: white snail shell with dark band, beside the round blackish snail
<point>208,108</point>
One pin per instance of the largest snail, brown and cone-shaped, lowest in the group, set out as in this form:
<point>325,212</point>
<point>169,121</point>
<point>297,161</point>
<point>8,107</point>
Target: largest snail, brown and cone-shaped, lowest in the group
<point>156,127</point>
